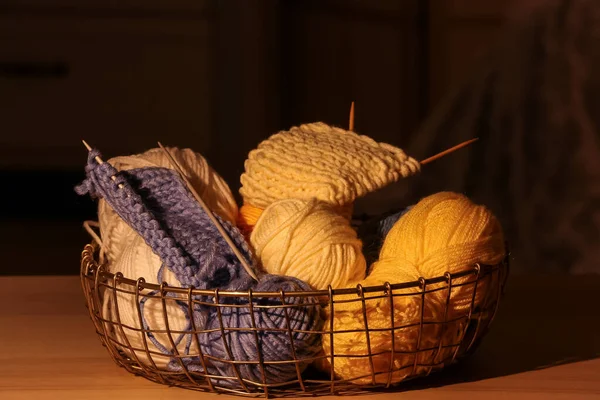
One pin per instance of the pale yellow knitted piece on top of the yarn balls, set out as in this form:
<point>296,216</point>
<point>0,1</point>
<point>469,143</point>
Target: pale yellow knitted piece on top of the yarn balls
<point>320,161</point>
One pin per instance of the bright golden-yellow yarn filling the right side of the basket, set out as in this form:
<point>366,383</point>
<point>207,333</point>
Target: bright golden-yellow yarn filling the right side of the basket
<point>444,232</point>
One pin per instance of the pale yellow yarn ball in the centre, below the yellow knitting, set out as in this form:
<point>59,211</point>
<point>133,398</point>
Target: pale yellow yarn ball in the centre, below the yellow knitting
<point>309,240</point>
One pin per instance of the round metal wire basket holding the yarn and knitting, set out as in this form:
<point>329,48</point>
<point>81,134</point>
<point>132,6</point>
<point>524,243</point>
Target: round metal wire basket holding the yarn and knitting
<point>467,326</point>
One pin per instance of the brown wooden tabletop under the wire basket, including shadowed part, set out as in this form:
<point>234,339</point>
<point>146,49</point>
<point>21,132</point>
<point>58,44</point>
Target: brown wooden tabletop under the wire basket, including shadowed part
<point>544,344</point>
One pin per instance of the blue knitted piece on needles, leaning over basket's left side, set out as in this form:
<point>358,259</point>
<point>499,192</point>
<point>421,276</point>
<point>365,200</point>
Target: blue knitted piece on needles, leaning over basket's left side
<point>156,203</point>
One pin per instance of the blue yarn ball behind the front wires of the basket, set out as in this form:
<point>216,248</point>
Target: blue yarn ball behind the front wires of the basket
<point>274,339</point>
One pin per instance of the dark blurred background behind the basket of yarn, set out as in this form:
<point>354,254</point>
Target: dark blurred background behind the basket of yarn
<point>220,76</point>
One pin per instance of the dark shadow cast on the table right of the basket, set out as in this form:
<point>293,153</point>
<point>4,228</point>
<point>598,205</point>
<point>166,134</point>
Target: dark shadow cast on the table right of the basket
<point>543,321</point>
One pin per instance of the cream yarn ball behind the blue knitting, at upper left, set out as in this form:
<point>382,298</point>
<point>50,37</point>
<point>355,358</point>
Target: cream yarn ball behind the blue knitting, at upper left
<point>211,187</point>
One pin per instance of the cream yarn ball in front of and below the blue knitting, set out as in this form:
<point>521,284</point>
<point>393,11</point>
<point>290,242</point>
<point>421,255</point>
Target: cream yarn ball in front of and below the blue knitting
<point>137,260</point>
